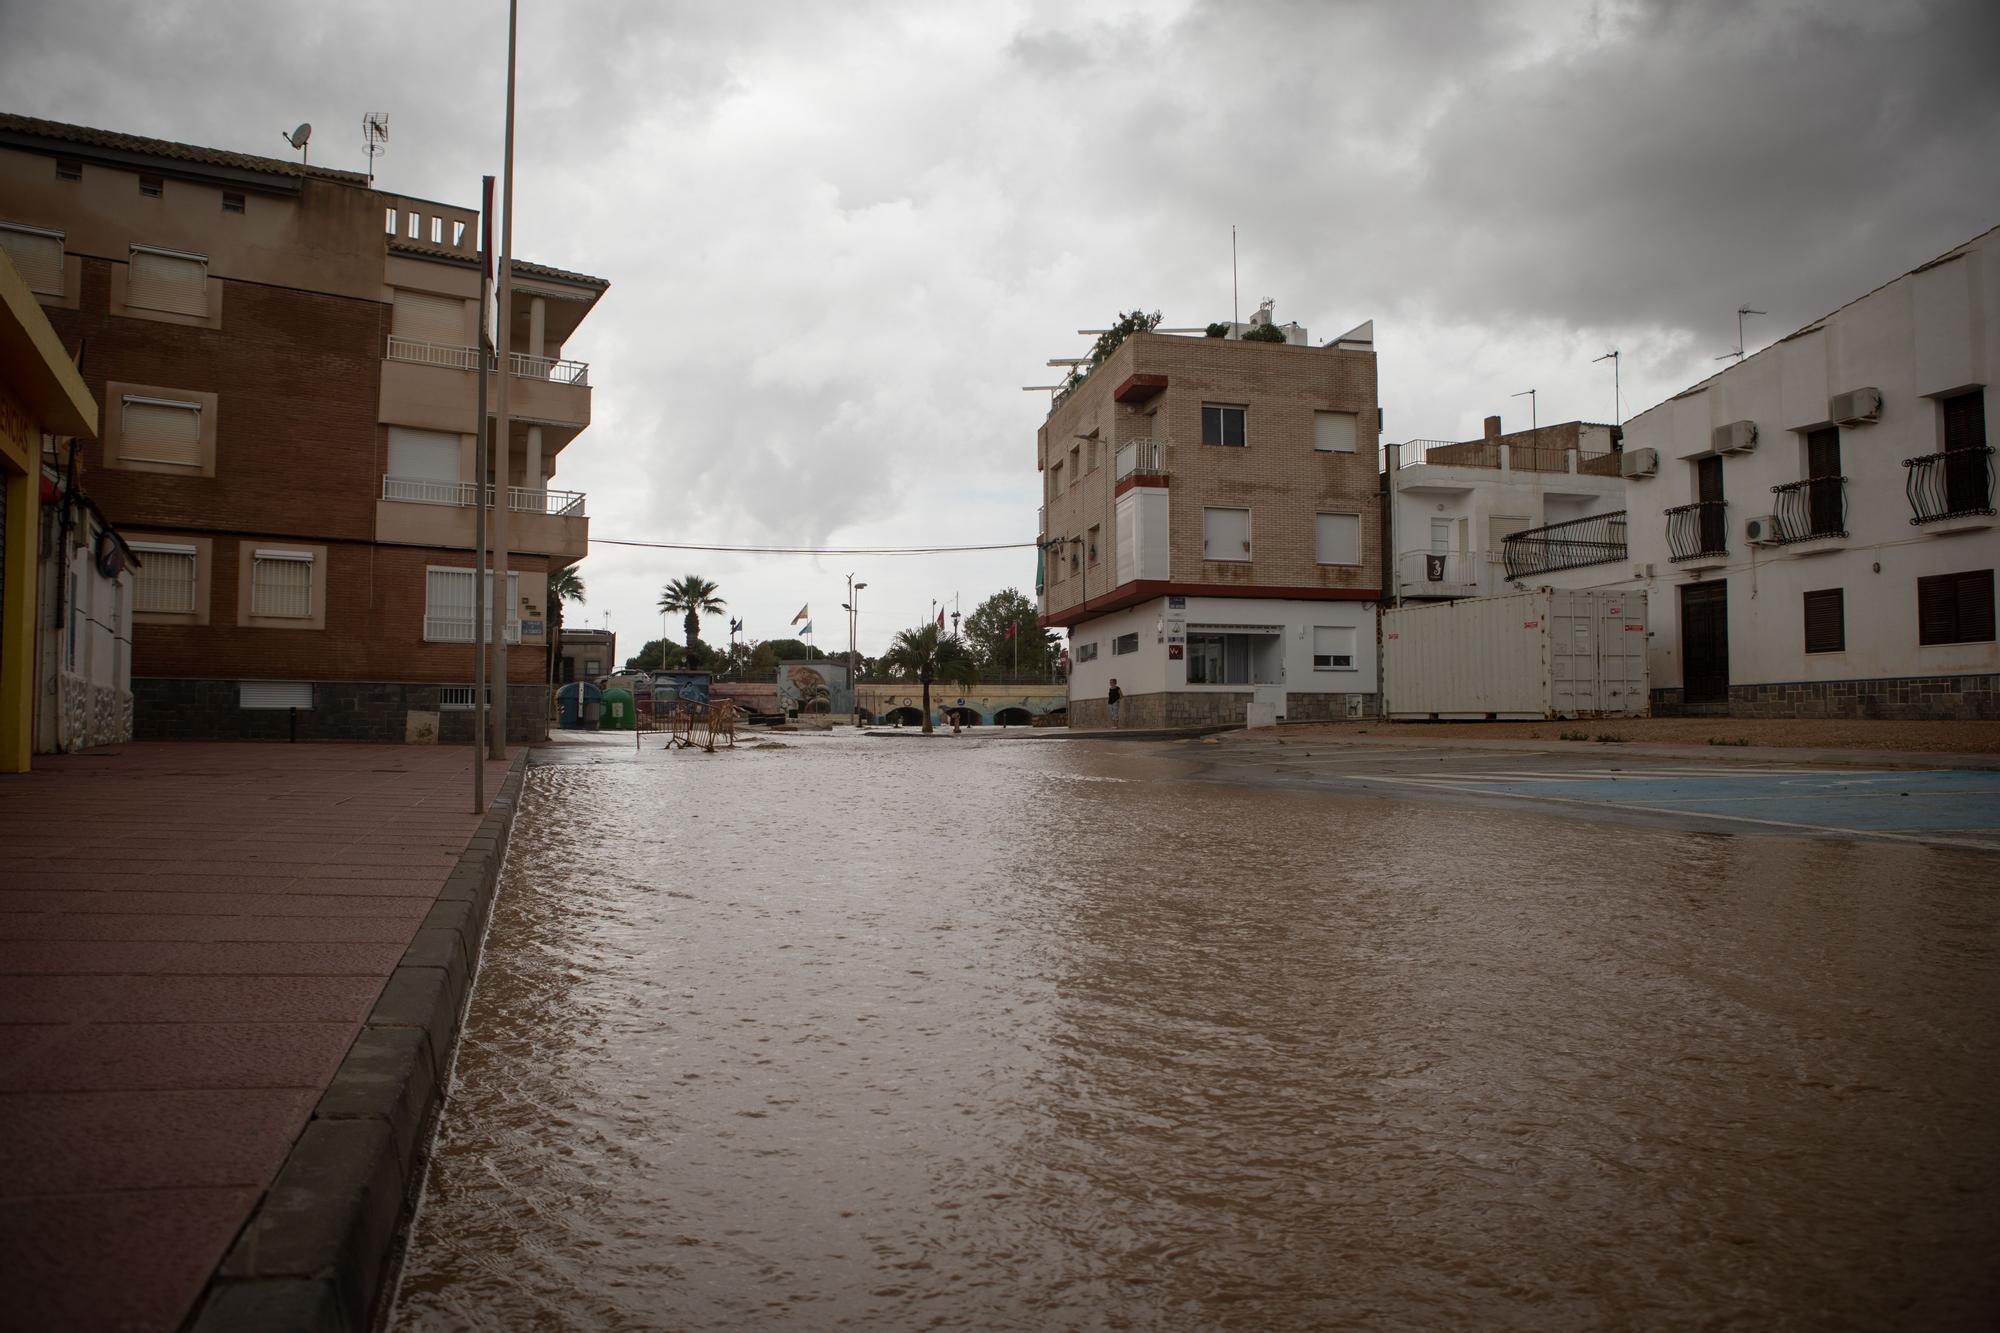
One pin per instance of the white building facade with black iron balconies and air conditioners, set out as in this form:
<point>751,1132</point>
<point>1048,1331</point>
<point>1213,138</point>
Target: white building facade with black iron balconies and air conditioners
<point>1815,525</point>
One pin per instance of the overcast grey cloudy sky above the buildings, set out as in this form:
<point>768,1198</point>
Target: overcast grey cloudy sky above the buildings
<point>841,237</point>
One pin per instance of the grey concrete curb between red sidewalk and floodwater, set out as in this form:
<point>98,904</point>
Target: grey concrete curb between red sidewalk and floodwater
<point>317,1254</point>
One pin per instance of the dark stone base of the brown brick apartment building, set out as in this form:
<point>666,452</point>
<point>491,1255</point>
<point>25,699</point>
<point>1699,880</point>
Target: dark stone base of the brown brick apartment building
<point>171,710</point>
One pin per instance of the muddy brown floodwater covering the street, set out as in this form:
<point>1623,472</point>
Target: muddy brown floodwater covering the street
<point>1037,1036</point>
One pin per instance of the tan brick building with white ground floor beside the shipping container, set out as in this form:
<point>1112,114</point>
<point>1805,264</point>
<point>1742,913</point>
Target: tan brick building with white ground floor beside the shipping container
<point>1213,529</point>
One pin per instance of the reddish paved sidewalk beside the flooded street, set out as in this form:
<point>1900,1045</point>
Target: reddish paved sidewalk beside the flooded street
<point>191,938</point>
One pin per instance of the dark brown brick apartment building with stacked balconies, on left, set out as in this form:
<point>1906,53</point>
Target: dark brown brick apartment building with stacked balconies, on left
<point>287,359</point>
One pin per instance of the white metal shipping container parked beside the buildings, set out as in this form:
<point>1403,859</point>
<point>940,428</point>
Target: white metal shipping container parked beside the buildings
<point>1527,655</point>
